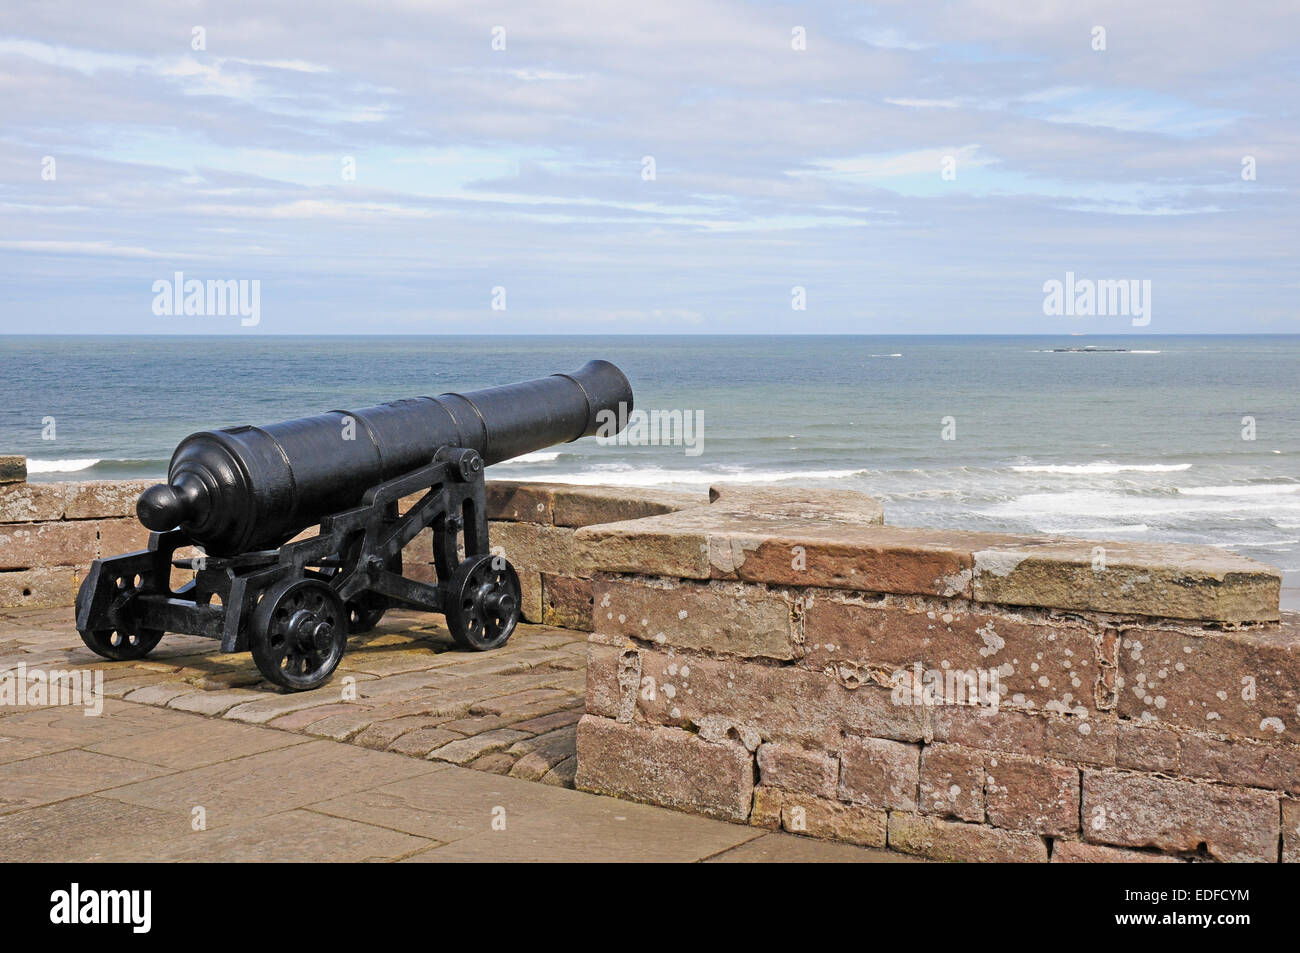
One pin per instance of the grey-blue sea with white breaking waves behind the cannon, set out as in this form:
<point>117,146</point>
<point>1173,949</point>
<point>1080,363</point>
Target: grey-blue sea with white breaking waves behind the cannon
<point>1188,439</point>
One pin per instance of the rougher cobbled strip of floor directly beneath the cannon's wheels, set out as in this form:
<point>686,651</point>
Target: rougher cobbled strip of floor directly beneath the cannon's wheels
<point>401,688</point>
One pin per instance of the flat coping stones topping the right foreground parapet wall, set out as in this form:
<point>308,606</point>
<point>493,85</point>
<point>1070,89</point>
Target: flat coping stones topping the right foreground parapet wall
<point>816,539</point>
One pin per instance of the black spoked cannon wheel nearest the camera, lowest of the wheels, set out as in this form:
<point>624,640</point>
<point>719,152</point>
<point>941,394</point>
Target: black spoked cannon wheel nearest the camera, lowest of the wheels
<point>300,631</point>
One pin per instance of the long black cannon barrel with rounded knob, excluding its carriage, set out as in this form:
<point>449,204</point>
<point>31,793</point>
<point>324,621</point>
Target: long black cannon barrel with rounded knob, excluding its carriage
<point>252,488</point>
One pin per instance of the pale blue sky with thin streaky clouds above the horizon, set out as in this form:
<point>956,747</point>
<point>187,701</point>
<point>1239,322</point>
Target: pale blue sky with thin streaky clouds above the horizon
<point>670,167</point>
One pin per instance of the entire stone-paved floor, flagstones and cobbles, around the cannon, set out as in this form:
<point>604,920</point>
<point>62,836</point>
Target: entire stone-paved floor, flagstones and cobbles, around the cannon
<point>435,759</point>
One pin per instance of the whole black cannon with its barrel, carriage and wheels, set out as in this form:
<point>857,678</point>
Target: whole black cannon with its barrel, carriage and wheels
<point>242,497</point>
